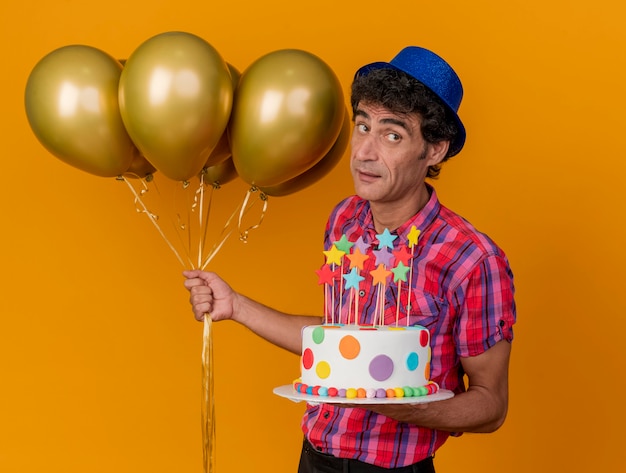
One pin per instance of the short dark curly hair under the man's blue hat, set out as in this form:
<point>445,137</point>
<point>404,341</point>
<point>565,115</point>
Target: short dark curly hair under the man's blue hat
<point>400,93</point>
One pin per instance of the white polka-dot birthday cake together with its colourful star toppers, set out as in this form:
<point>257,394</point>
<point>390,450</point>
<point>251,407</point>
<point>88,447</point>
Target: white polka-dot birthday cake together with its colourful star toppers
<point>383,359</point>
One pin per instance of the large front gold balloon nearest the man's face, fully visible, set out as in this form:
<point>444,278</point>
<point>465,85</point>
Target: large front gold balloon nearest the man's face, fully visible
<point>287,114</point>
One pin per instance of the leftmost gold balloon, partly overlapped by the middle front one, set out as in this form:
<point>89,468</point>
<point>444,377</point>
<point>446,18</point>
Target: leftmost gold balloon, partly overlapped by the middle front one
<point>72,107</point>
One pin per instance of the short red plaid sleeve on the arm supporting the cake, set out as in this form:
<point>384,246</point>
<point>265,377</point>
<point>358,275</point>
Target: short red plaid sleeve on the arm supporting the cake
<point>487,307</point>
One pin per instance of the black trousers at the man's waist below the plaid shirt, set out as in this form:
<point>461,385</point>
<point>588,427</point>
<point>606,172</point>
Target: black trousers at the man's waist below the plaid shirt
<point>312,461</point>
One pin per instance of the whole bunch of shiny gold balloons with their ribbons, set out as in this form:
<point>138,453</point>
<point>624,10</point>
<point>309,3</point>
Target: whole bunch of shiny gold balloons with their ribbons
<point>176,109</point>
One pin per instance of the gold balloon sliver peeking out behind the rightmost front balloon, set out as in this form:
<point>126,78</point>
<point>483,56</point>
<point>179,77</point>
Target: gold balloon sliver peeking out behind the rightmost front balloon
<point>321,169</point>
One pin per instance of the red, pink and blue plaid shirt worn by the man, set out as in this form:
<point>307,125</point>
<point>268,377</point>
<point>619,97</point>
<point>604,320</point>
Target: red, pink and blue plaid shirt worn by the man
<point>462,291</point>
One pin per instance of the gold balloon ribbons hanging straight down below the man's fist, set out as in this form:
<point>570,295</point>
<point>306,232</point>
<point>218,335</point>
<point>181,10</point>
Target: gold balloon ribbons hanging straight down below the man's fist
<point>208,404</point>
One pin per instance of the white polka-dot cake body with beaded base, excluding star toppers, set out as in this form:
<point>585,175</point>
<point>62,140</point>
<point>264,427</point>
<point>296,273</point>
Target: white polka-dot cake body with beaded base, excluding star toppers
<point>354,361</point>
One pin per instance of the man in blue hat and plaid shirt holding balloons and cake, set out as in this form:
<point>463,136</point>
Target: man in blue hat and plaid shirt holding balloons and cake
<point>405,126</point>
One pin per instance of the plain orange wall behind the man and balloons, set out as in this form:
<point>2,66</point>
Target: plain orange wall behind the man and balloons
<point>99,353</point>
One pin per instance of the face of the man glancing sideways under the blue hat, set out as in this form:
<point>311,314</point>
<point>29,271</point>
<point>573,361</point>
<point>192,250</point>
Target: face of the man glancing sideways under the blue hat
<point>389,158</point>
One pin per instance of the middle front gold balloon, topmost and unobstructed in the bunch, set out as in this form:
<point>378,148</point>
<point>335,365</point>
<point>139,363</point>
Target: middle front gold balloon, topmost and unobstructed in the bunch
<point>175,98</point>
